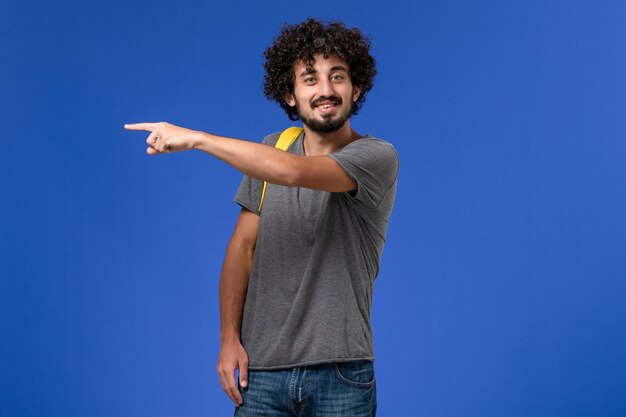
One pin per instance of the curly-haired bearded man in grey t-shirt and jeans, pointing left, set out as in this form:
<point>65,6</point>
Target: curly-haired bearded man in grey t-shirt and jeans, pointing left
<point>297,280</point>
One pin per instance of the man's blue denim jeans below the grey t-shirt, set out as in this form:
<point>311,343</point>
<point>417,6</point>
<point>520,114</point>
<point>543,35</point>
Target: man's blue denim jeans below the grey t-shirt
<point>344,389</point>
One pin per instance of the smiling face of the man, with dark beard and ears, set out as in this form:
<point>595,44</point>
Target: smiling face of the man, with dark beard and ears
<point>323,93</point>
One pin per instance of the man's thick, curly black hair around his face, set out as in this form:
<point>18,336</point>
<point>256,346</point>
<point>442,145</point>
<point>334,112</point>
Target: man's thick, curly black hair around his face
<point>300,42</point>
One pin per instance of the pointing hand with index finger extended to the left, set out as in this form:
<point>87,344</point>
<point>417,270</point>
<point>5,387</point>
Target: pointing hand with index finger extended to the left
<point>166,137</point>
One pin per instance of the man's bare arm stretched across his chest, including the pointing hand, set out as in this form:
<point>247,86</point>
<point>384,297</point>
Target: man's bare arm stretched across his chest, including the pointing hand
<point>255,160</point>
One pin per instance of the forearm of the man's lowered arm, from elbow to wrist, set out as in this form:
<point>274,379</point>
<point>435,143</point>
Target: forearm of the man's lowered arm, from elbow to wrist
<point>233,286</point>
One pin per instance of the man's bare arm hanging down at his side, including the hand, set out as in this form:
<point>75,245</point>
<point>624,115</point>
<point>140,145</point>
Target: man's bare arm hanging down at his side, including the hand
<point>233,286</point>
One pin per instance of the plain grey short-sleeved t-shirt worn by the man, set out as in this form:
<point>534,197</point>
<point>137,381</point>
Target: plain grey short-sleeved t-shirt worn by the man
<point>317,254</point>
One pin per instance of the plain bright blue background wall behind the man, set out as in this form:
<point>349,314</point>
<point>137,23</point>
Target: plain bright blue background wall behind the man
<point>502,285</point>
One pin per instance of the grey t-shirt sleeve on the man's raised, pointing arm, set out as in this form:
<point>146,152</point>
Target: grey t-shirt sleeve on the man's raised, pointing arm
<point>372,164</point>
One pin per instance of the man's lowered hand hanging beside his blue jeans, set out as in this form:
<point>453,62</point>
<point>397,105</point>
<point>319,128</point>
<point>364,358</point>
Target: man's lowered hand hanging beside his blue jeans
<point>232,357</point>
